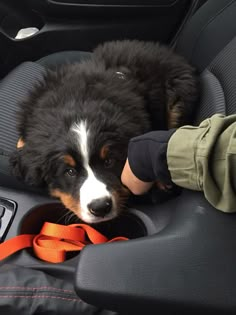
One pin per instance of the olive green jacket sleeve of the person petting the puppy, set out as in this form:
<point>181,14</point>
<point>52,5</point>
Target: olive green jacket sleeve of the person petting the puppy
<point>204,158</point>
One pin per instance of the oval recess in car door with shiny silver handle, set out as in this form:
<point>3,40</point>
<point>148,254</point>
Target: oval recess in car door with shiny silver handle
<point>20,25</point>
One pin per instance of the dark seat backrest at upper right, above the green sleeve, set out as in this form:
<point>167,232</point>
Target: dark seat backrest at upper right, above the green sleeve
<point>209,42</point>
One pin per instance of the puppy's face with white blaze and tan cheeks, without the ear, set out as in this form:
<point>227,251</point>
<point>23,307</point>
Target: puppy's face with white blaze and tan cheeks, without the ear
<point>87,179</point>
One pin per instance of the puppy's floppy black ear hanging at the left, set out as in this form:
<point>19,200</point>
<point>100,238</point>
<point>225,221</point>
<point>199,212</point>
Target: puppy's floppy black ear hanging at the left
<point>25,167</point>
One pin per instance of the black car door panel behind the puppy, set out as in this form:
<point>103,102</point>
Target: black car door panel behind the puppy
<point>80,25</point>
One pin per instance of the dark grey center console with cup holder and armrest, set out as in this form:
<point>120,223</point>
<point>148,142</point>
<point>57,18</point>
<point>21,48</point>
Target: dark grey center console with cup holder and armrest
<point>178,257</point>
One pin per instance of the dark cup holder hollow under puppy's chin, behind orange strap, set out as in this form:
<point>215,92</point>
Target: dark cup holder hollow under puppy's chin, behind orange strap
<point>127,225</point>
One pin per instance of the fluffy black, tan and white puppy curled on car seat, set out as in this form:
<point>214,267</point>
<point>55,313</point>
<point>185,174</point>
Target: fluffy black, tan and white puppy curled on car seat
<point>76,124</point>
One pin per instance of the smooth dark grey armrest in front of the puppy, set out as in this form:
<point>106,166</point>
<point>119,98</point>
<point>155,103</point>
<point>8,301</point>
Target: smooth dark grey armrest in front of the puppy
<point>188,266</point>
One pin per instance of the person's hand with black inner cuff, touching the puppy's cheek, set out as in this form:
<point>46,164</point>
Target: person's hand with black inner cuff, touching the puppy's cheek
<point>146,164</point>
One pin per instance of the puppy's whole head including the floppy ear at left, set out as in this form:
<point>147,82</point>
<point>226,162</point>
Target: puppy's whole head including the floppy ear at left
<point>82,168</point>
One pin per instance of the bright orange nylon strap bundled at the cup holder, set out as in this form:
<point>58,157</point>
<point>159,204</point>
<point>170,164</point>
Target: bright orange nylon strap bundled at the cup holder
<point>55,240</point>
